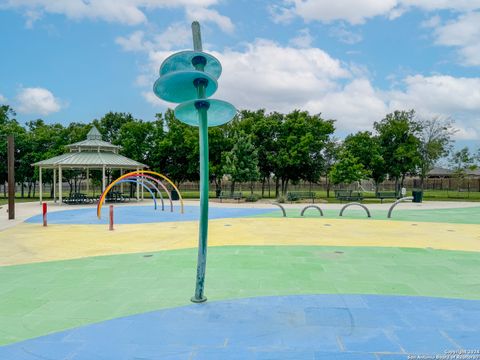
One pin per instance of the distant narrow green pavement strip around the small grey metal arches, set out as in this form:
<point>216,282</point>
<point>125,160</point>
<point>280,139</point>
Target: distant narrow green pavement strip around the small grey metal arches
<point>451,216</point>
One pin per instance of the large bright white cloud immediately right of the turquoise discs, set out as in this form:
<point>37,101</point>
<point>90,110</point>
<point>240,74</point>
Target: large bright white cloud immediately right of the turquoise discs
<point>275,77</point>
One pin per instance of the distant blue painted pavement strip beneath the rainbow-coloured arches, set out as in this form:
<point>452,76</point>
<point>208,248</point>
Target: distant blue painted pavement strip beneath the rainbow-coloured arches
<point>142,214</point>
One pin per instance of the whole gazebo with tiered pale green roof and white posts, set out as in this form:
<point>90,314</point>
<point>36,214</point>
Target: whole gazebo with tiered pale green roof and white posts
<point>92,153</point>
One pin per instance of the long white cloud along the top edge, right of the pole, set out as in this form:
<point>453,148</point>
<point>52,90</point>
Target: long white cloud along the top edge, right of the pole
<point>357,12</point>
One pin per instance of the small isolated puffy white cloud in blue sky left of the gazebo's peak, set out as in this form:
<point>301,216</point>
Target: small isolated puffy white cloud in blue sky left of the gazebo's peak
<point>37,101</point>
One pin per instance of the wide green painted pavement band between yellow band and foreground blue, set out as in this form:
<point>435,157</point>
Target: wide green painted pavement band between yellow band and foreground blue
<point>36,299</point>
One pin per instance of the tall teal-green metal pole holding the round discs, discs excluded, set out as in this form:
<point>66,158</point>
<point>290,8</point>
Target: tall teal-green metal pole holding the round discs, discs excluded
<point>202,108</point>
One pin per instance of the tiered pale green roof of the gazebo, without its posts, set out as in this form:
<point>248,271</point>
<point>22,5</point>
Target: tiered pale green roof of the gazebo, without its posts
<point>91,153</point>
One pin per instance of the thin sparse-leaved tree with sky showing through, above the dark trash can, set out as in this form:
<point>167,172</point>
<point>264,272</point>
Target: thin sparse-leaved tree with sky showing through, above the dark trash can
<point>435,143</point>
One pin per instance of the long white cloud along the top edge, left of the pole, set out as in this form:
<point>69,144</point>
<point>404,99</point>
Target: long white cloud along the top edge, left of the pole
<point>130,12</point>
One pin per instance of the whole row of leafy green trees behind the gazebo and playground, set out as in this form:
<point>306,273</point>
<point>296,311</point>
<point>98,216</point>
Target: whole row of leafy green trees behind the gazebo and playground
<point>273,148</point>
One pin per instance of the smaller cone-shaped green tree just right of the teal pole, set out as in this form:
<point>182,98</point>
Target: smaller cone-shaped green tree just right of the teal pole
<point>241,163</point>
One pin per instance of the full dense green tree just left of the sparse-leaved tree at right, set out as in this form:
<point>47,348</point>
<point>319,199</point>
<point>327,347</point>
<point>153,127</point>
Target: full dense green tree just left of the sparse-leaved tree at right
<point>398,134</point>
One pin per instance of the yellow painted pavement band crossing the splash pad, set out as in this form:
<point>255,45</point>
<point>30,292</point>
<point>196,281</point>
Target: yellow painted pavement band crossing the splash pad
<point>27,243</point>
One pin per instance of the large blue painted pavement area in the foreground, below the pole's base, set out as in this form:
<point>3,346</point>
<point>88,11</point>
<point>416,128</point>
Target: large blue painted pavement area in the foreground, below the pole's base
<point>289,327</point>
